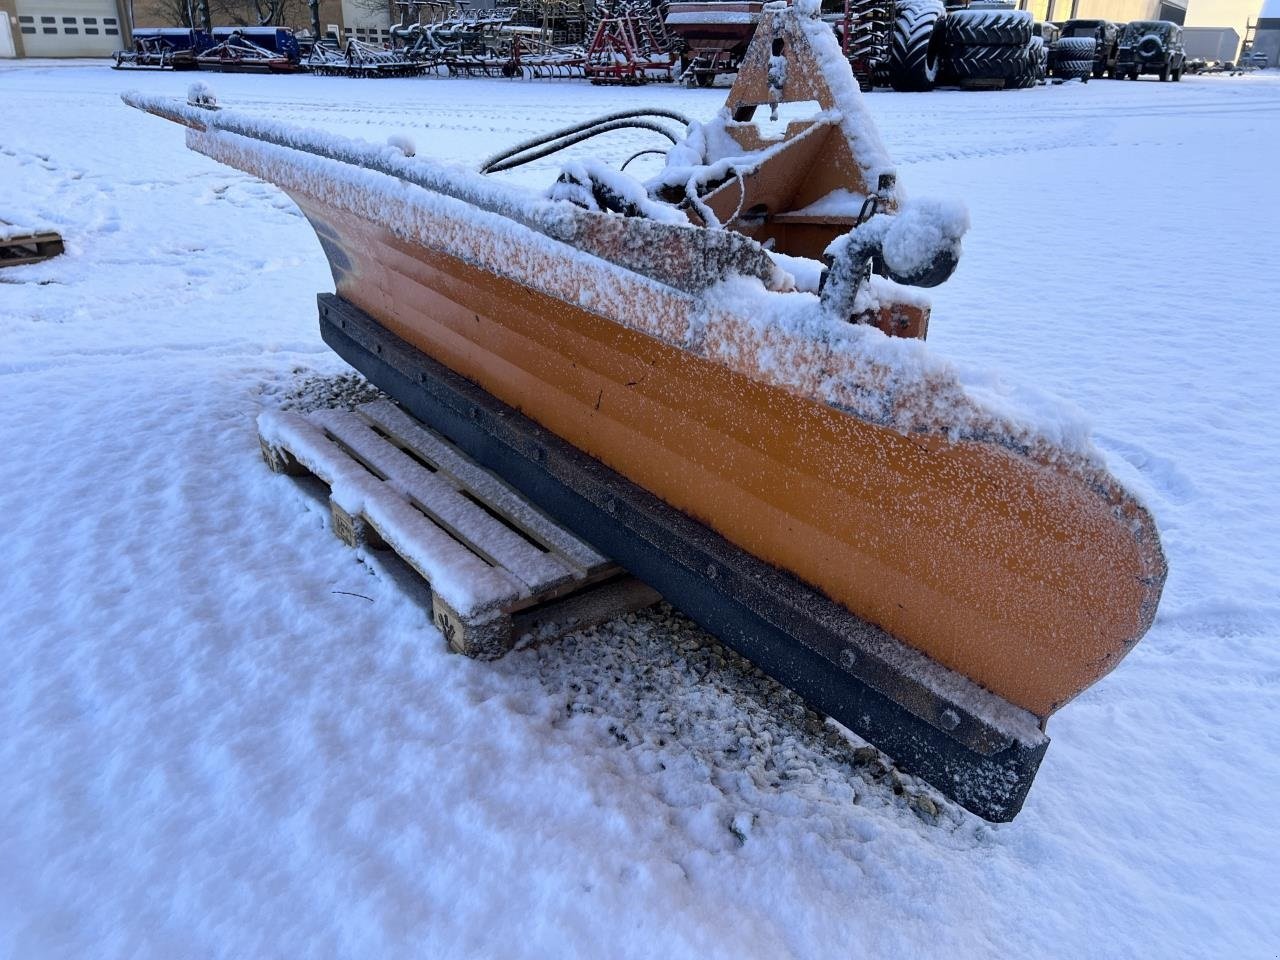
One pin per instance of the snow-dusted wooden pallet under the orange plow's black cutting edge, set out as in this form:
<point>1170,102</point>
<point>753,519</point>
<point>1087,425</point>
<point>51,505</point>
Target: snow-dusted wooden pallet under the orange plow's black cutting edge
<point>500,570</point>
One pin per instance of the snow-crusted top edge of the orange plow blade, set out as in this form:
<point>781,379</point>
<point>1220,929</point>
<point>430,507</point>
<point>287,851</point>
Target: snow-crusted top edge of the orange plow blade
<point>890,382</point>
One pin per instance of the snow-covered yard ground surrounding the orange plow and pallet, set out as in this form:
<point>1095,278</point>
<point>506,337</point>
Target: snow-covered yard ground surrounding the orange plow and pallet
<point>225,735</point>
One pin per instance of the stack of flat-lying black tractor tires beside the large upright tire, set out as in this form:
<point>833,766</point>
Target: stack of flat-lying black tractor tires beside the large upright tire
<point>993,48</point>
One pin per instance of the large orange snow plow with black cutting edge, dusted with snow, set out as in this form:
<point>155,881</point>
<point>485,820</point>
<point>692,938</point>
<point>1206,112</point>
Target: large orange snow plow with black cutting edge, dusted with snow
<point>715,378</point>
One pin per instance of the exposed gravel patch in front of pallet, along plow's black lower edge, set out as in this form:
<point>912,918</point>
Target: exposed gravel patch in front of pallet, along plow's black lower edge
<point>671,697</point>
